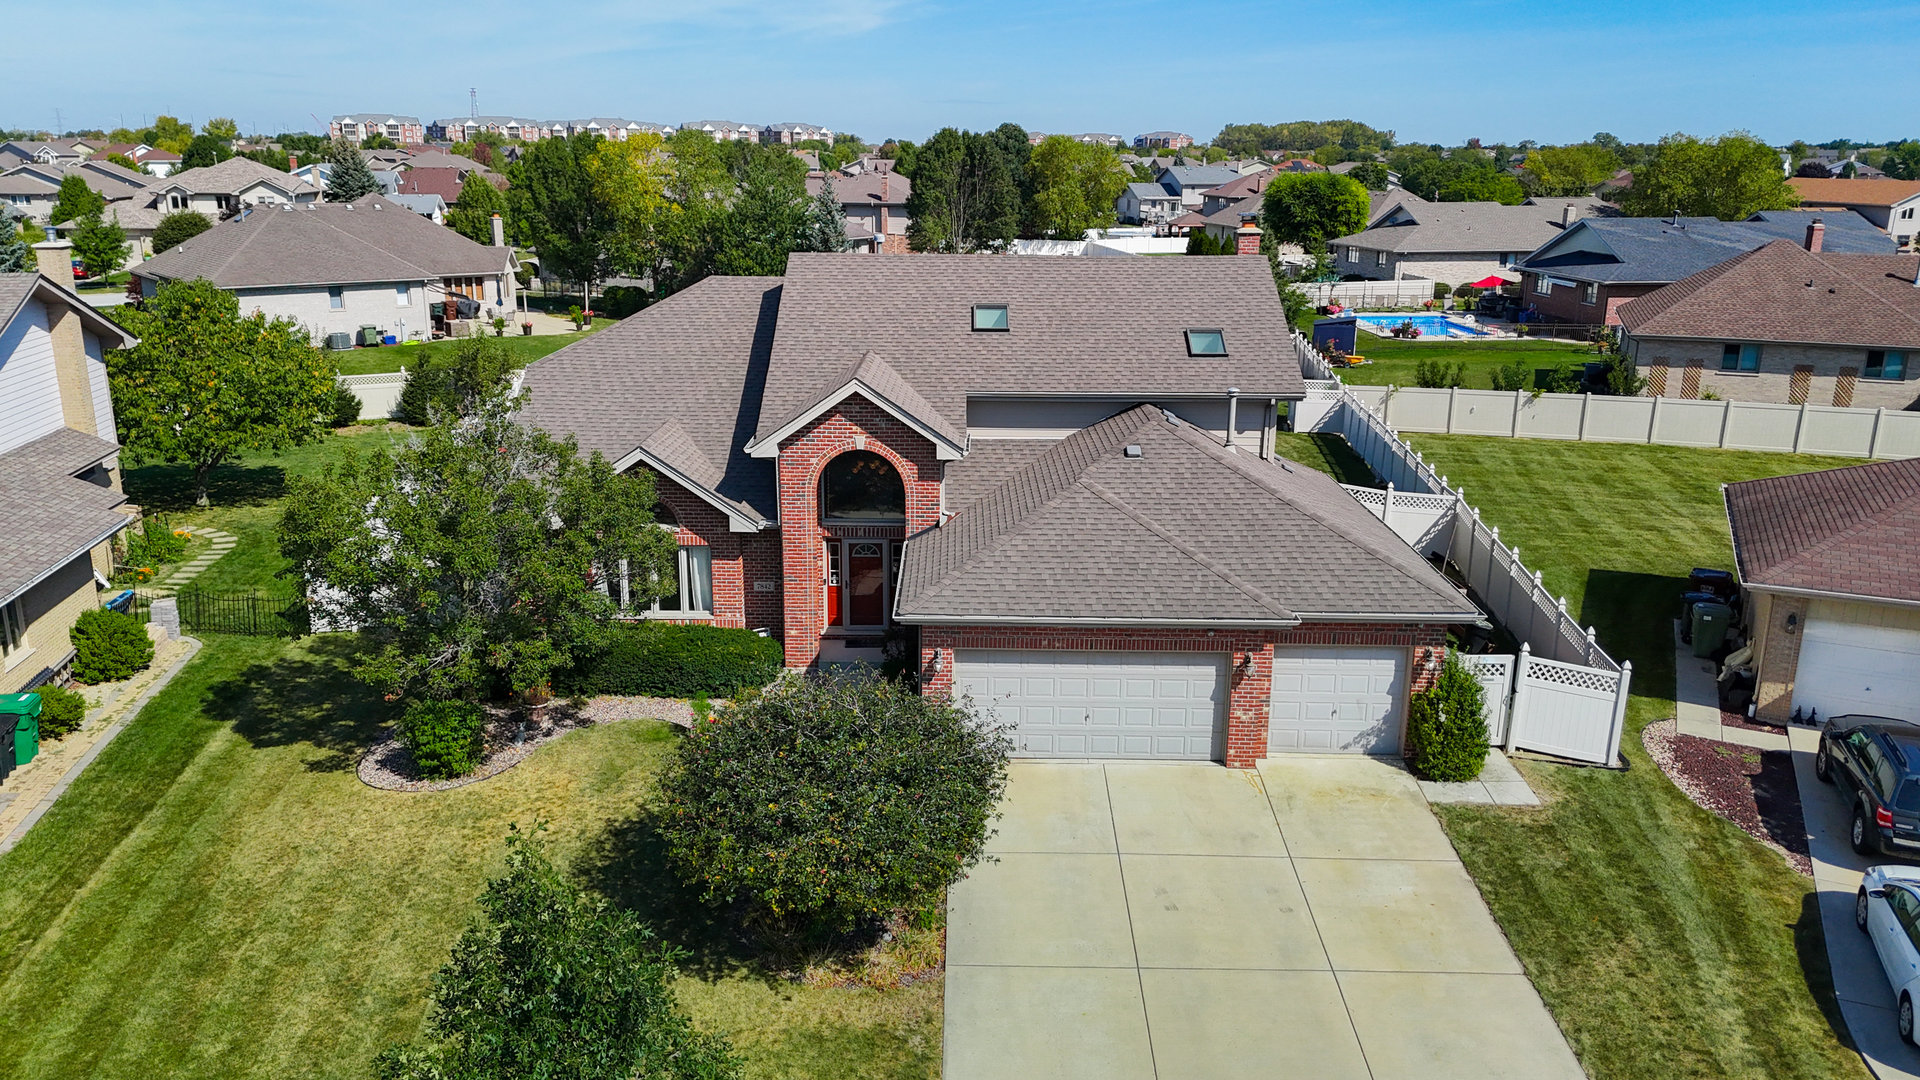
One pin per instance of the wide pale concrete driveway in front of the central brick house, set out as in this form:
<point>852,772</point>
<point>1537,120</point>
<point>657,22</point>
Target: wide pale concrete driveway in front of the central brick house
<point>1191,921</point>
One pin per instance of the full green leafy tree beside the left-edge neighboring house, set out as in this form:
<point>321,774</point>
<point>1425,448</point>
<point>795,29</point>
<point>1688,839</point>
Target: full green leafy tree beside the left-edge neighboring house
<point>208,383</point>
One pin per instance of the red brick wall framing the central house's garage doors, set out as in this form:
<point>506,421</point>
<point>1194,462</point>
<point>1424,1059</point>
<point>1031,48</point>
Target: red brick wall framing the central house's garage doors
<point>1249,660</point>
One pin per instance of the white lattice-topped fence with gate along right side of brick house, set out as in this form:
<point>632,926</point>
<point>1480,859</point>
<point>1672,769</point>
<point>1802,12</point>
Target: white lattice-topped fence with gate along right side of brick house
<point>1562,695</point>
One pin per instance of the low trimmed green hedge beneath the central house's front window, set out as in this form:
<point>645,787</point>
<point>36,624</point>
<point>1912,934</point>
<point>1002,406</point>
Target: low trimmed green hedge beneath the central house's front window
<point>679,660</point>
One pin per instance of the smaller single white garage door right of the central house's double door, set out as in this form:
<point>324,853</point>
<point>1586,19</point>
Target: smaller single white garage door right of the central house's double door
<point>1343,700</point>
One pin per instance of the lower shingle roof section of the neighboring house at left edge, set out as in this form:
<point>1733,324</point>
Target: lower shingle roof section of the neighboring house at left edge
<point>53,516</point>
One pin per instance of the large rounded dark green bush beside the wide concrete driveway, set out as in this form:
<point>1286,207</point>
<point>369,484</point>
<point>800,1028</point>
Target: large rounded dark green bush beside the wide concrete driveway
<point>832,800</point>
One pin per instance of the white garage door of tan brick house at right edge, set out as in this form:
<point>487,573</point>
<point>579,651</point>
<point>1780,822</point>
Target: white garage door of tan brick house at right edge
<point>1848,668</point>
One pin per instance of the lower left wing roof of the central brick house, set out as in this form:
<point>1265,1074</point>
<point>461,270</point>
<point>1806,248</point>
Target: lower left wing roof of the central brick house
<point>692,364</point>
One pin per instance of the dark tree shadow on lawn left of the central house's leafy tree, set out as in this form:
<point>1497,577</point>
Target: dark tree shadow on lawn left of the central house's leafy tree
<point>308,697</point>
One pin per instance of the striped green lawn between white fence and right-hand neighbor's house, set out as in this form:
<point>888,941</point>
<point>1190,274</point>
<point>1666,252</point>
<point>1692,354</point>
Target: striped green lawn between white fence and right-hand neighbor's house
<point>1666,943</point>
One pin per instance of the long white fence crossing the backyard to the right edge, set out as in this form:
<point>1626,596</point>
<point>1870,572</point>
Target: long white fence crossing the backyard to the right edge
<point>1664,422</point>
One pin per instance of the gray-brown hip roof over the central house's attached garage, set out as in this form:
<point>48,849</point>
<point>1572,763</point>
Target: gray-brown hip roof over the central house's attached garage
<point>1186,533</point>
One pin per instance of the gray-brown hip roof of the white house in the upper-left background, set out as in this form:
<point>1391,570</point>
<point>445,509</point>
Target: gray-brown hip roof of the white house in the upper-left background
<point>368,241</point>
